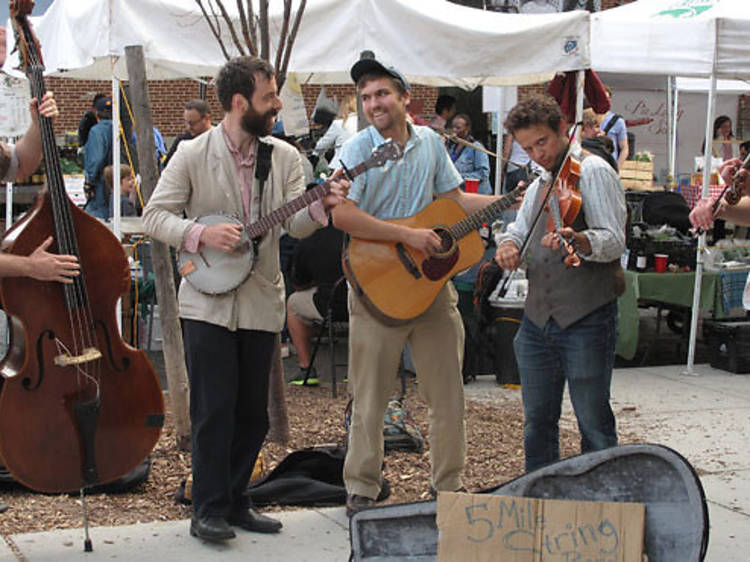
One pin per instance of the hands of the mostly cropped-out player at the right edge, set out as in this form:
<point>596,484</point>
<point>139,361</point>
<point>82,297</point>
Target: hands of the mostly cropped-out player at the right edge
<point>703,214</point>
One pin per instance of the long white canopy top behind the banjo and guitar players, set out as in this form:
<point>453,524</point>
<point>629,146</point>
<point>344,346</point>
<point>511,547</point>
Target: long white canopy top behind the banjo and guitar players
<point>434,42</point>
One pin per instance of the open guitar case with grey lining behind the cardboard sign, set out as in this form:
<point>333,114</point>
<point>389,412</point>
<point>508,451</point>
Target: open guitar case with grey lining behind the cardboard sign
<point>657,476</point>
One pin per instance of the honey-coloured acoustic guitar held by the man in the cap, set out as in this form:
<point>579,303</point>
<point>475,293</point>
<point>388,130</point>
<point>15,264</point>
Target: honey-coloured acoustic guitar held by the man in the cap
<point>397,282</point>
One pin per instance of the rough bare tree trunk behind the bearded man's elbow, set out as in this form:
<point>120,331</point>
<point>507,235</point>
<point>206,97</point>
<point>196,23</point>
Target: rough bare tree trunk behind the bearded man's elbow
<point>174,355</point>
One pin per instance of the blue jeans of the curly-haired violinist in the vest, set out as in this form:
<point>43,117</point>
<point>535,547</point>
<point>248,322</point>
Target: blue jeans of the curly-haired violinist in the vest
<point>583,355</point>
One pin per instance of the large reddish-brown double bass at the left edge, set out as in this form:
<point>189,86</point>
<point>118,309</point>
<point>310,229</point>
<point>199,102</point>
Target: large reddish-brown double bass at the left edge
<point>78,406</point>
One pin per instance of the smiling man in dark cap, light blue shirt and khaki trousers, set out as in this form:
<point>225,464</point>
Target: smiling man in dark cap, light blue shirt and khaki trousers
<point>401,189</point>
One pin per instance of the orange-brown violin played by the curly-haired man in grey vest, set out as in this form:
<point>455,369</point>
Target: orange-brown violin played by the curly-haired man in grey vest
<point>563,205</point>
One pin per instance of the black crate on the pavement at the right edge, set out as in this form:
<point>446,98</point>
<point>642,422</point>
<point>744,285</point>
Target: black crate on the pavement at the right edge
<point>728,344</point>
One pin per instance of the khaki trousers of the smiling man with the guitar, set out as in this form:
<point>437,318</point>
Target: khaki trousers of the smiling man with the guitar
<point>437,343</point>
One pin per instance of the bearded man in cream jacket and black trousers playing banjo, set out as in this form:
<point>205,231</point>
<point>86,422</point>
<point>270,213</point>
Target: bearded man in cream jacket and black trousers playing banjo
<point>234,169</point>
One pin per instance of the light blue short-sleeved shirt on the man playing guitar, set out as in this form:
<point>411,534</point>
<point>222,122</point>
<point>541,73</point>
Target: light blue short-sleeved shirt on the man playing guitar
<point>404,187</point>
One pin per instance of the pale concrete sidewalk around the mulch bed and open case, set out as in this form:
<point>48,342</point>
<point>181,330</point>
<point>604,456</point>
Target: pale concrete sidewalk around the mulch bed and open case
<point>705,418</point>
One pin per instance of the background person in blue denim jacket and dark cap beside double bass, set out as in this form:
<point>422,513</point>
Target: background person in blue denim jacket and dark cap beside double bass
<point>98,154</point>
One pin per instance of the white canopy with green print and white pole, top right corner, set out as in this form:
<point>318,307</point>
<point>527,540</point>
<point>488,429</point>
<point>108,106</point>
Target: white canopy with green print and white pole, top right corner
<point>667,37</point>
